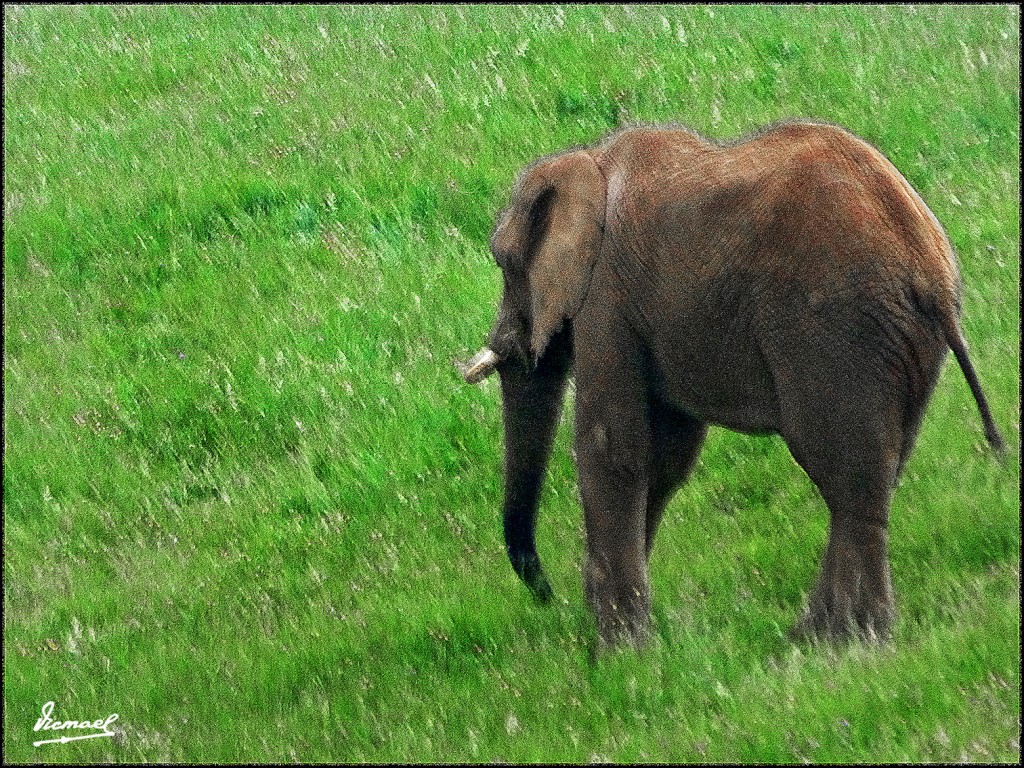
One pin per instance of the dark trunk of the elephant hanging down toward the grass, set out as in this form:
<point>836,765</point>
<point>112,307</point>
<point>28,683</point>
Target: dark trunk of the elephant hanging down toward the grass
<point>532,405</point>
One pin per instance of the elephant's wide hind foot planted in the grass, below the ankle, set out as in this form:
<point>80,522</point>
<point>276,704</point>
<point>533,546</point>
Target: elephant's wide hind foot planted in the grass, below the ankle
<point>854,600</point>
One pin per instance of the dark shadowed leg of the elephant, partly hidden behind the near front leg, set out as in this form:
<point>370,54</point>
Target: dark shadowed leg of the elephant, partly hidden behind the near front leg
<point>676,441</point>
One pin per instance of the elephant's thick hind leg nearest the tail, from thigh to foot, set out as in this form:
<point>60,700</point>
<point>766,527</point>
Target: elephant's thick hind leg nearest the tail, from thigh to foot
<point>851,415</point>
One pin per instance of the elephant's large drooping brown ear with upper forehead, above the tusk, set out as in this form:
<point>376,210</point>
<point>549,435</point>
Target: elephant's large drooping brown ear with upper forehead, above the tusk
<point>554,230</point>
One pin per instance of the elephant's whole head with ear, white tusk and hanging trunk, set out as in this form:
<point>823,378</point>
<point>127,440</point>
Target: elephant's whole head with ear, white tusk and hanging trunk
<point>546,244</point>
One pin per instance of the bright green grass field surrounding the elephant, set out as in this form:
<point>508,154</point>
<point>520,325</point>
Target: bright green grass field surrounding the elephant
<point>251,508</point>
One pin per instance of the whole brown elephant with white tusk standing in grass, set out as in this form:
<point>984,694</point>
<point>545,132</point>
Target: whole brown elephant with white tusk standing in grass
<point>788,283</point>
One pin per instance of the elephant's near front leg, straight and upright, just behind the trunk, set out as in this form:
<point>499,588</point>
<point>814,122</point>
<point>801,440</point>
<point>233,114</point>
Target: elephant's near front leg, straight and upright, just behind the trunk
<point>613,457</point>
